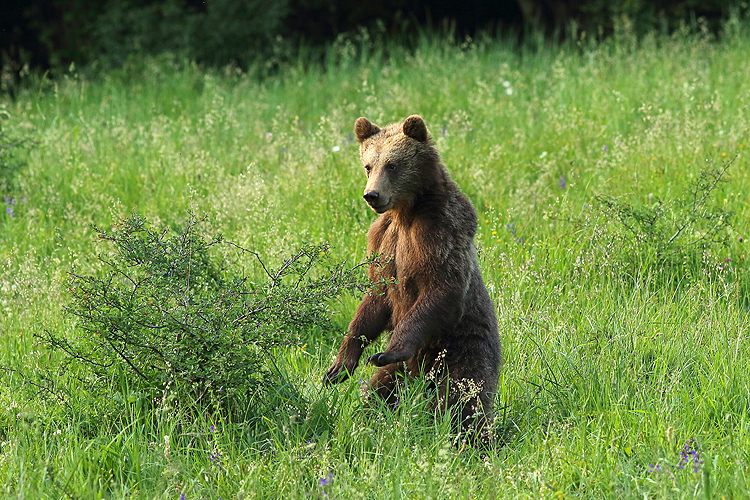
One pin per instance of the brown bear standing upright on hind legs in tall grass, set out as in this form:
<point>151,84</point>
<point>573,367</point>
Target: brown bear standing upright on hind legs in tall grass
<point>431,295</point>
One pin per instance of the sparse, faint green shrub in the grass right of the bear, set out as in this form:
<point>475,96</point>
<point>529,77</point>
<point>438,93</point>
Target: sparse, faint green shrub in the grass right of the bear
<point>669,239</point>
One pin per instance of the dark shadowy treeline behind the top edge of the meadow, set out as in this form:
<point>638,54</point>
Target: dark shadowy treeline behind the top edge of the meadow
<point>50,34</point>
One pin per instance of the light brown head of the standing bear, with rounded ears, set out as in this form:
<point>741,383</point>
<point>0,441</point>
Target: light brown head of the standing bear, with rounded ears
<point>400,162</point>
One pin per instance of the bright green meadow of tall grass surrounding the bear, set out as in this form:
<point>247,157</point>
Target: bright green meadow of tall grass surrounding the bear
<point>626,342</point>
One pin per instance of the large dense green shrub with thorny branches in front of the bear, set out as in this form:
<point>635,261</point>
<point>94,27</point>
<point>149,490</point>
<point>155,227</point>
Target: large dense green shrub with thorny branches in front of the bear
<point>170,317</point>
